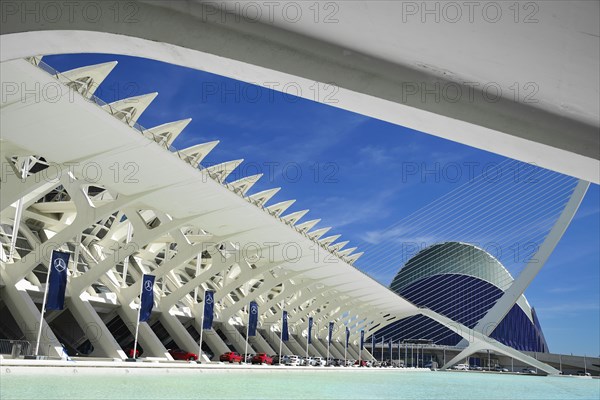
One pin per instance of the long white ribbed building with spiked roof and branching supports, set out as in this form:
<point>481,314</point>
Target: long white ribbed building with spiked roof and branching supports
<point>82,176</point>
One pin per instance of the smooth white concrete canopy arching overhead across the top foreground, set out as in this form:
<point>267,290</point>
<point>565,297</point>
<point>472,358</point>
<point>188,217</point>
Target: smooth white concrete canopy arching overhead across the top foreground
<point>408,66</point>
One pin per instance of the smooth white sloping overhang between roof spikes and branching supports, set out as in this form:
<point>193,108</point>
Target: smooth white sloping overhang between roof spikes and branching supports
<point>77,132</point>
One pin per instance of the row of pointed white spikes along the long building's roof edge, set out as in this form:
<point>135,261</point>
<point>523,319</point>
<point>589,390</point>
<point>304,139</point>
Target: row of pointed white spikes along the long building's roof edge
<point>87,79</point>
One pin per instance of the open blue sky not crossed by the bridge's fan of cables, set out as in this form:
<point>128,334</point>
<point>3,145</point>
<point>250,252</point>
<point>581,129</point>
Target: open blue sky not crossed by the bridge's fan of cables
<point>353,172</point>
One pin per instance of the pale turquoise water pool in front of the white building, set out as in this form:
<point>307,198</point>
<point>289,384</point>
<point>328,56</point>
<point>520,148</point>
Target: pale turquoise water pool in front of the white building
<point>65,383</point>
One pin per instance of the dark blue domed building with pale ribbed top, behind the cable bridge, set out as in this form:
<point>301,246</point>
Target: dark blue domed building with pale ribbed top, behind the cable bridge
<point>462,282</point>
